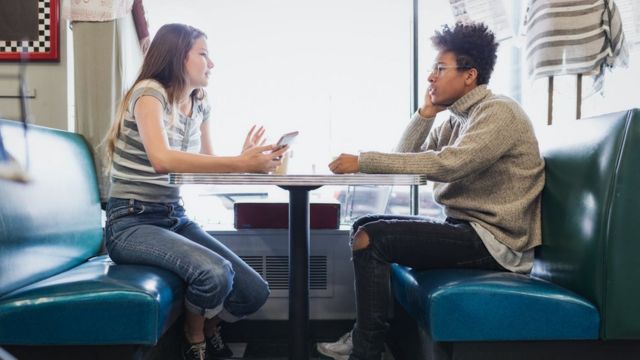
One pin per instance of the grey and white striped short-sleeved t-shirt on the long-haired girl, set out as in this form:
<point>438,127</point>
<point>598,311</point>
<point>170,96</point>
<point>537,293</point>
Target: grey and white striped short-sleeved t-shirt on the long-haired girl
<point>132,175</point>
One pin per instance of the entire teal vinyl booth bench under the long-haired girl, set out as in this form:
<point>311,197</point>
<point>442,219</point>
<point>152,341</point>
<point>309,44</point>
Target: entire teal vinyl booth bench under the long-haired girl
<point>55,288</point>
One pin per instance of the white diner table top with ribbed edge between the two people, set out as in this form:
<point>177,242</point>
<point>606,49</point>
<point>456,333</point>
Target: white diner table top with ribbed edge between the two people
<point>296,180</point>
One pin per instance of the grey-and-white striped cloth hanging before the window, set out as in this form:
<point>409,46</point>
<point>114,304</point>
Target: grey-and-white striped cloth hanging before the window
<point>573,37</point>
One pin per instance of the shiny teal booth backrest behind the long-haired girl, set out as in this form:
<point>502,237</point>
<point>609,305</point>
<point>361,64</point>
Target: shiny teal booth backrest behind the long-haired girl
<point>52,222</point>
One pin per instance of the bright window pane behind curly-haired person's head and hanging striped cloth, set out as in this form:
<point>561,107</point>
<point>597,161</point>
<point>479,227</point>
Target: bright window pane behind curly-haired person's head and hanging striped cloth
<point>510,75</point>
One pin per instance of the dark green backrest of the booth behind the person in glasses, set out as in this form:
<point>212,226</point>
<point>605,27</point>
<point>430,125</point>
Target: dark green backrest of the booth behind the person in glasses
<point>591,227</point>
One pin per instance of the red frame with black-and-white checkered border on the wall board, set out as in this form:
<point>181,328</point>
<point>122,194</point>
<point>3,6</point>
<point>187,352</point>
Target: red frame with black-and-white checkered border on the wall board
<point>45,47</point>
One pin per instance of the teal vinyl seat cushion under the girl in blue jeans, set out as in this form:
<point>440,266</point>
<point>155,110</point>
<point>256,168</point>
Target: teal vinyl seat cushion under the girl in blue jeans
<point>94,303</point>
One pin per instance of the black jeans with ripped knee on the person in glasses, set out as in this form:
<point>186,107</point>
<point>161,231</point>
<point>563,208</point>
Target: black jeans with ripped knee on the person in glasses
<point>418,242</point>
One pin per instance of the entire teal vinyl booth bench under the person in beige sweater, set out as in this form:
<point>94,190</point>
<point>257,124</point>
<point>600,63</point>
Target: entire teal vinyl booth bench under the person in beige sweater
<point>582,299</point>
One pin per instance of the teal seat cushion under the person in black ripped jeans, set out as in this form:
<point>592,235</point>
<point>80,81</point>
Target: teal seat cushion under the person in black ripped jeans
<point>474,305</point>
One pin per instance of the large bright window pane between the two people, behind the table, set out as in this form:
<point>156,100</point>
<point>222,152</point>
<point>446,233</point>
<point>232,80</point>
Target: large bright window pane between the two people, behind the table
<point>339,72</point>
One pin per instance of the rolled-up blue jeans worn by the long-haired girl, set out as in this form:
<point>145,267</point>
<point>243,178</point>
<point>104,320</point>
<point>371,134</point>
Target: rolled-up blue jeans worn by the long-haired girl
<point>159,234</point>
